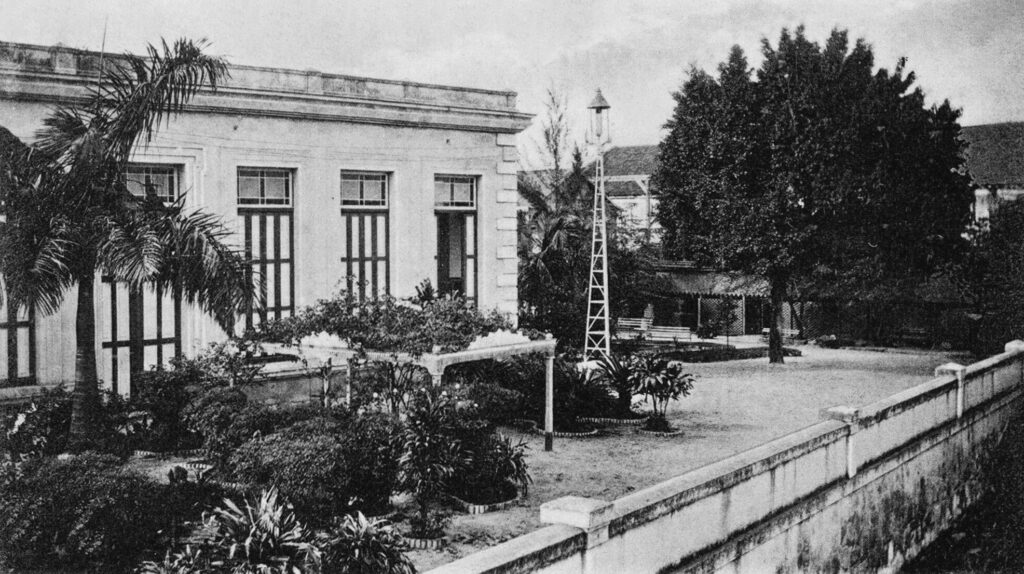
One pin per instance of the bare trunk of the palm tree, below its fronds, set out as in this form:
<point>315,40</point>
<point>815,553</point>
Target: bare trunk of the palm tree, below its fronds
<point>86,399</point>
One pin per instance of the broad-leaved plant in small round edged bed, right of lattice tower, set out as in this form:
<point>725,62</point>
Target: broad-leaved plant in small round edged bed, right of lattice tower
<point>661,381</point>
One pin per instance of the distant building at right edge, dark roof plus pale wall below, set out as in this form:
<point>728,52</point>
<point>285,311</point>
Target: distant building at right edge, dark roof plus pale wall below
<point>996,161</point>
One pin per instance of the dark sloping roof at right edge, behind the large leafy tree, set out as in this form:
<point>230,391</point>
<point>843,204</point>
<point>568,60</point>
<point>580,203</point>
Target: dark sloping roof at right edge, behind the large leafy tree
<point>996,155</point>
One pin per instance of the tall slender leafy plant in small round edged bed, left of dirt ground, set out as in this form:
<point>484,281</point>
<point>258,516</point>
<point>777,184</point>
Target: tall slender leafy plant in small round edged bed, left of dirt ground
<point>429,463</point>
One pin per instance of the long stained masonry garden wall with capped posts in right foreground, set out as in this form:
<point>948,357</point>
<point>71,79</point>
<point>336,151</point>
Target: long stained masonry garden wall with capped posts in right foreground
<point>865,491</point>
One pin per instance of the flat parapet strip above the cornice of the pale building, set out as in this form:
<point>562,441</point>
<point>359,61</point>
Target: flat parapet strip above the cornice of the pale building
<point>73,63</point>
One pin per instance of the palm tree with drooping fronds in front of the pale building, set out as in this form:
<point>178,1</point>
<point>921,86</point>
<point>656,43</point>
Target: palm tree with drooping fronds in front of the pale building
<point>70,215</point>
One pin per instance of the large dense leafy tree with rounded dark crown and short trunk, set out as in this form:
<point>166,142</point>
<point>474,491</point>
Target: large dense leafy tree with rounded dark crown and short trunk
<point>820,173</point>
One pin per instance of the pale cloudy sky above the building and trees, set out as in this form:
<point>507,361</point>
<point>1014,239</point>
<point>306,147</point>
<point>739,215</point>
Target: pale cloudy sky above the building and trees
<point>638,53</point>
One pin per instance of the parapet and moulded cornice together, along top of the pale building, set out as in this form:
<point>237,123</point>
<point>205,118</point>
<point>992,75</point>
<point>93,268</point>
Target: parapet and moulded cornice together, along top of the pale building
<point>58,75</point>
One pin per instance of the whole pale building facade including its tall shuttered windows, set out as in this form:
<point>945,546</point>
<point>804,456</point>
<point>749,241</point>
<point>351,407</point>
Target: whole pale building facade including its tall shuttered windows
<point>328,182</point>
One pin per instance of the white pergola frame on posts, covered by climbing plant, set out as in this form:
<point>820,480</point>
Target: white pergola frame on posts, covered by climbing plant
<point>497,346</point>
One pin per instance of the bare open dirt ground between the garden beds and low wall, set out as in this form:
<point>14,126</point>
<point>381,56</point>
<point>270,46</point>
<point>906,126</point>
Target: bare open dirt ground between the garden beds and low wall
<point>735,407</point>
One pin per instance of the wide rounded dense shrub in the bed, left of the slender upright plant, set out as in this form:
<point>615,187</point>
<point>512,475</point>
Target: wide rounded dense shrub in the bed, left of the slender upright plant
<point>326,468</point>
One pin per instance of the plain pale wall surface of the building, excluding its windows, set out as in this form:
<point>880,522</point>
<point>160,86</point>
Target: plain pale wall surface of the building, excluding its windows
<point>315,125</point>
